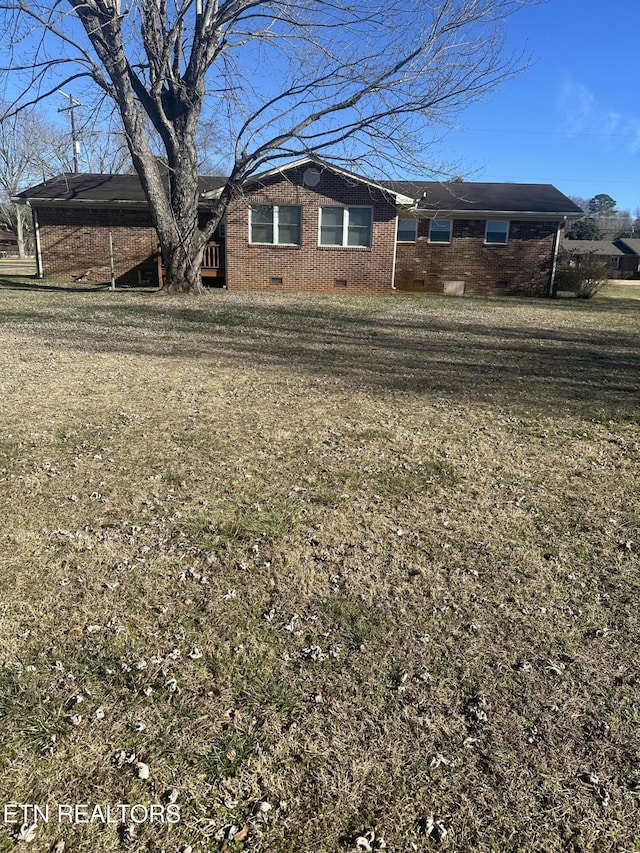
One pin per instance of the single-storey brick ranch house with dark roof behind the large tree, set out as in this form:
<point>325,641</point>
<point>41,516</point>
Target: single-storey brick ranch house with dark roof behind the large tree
<point>310,226</point>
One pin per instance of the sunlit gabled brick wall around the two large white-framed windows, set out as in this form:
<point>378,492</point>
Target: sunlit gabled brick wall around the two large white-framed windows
<point>309,266</point>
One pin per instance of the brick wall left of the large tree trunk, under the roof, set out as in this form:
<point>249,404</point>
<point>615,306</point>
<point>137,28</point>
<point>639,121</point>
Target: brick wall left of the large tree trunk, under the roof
<point>75,244</point>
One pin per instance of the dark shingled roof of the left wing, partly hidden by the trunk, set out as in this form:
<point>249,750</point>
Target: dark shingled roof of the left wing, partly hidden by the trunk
<point>107,189</point>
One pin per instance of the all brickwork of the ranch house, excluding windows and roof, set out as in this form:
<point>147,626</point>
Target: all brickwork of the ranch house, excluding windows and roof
<point>75,244</point>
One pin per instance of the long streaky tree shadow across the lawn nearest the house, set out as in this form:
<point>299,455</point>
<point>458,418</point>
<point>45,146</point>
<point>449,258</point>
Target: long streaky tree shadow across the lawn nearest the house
<point>452,353</point>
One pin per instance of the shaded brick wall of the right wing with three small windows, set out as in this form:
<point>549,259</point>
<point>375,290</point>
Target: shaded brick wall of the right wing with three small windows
<point>522,266</point>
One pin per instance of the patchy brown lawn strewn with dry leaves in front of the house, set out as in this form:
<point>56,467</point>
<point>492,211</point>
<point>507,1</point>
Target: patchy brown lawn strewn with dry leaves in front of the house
<point>372,562</point>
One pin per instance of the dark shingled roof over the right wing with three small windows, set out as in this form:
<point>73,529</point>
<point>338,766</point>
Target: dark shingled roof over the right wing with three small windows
<point>466,197</point>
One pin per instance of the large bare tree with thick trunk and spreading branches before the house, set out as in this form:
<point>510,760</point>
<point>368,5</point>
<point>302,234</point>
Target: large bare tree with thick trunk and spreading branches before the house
<point>345,78</point>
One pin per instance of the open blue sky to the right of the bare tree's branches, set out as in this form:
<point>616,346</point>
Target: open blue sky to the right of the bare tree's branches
<point>573,118</point>
